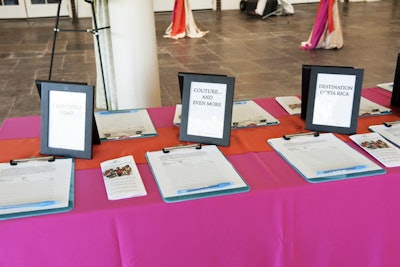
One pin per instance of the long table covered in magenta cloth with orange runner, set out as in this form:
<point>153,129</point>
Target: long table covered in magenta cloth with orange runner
<point>282,221</point>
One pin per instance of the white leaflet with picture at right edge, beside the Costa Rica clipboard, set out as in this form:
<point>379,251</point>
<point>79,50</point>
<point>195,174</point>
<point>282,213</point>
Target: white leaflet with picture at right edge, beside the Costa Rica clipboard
<point>381,149</point>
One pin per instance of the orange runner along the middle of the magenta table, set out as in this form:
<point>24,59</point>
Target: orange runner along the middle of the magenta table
<point>242,141</point>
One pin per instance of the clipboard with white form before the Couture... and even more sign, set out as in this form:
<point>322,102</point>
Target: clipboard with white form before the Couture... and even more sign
<point>211,174</point>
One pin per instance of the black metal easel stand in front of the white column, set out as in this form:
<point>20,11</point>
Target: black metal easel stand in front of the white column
<point>94,31</point>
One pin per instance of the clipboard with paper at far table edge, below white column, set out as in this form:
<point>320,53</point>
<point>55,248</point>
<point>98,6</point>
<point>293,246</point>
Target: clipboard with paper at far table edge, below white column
<point>122,124</point>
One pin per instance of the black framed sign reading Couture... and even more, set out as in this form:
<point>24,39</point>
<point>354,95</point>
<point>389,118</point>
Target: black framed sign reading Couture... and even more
<point>207,109</point>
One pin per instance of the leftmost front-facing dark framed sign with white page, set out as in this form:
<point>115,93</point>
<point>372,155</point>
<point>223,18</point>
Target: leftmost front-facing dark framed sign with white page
<point>66,119</point>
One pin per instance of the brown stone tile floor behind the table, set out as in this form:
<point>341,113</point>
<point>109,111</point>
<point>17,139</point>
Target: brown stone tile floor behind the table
<point>263,55</point>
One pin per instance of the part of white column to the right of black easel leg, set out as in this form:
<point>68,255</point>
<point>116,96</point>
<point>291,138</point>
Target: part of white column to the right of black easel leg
<point>134,49</point>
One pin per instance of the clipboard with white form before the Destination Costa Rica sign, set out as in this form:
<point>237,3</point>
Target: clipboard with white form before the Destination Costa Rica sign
<point>324,156</point>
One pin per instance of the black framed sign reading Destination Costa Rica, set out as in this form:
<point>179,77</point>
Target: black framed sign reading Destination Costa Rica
<point>334,99</point>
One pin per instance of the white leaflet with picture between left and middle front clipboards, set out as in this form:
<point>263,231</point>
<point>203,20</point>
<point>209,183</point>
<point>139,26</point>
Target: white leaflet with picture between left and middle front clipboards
<point>122,178</point>
